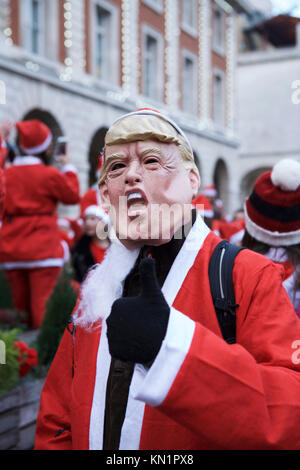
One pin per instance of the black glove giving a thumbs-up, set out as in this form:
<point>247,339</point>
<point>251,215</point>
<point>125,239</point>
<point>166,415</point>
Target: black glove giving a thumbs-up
<point>137,326</point>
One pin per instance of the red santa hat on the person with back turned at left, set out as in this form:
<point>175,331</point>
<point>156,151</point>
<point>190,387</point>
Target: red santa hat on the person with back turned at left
<point>34,136</point>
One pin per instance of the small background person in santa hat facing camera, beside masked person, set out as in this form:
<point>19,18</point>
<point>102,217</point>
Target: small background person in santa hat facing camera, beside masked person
<point>91,247</point>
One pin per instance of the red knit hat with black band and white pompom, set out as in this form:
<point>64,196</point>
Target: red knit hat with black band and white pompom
<point>272,211</point>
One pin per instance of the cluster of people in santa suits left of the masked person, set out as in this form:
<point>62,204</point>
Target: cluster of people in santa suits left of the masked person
<point>35,242</point>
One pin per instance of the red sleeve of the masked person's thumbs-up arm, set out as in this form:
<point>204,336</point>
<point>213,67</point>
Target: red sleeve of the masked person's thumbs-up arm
<point>246,395</point>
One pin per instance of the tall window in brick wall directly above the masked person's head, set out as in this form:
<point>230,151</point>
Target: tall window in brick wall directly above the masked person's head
<point>152,65</point>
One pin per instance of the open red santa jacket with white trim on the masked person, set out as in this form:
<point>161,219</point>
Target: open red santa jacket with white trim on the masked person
<point>200,392</point>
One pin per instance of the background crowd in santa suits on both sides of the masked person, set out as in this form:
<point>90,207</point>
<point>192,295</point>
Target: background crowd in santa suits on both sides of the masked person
<point>35,242</point>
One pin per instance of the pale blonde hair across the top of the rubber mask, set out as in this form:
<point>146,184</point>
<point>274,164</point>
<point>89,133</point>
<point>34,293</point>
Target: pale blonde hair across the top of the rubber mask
<point>147,127</point>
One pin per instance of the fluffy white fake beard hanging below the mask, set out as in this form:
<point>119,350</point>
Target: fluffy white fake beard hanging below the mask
<point>104,284</point>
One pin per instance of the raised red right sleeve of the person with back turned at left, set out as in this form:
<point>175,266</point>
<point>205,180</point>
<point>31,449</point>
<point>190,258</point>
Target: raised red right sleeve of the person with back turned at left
<point>64,185</point>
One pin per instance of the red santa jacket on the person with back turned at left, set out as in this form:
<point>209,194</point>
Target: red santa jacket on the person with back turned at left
<point>29,236</point>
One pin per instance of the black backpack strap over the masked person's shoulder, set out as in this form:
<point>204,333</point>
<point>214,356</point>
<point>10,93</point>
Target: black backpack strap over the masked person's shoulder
<point>222,289</point>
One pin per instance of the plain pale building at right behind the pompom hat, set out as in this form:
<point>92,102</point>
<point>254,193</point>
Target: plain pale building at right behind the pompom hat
<point>269,98</point>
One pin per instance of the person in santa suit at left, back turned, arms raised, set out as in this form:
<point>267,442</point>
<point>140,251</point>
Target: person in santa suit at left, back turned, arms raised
<point>30,248</point>
